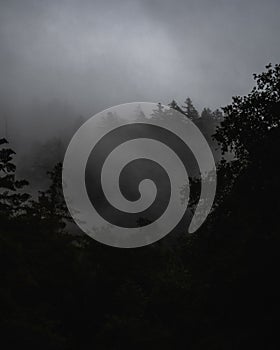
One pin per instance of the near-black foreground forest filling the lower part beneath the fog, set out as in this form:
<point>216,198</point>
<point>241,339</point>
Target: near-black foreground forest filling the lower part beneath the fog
<point>214,289</point>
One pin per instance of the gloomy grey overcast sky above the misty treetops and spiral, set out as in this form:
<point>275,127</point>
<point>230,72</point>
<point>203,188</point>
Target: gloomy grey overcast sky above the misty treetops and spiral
<point>90,55</point>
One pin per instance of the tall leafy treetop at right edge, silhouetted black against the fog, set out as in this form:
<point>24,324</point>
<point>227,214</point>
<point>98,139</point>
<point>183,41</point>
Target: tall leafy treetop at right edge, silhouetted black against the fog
<point>249,119</point>
